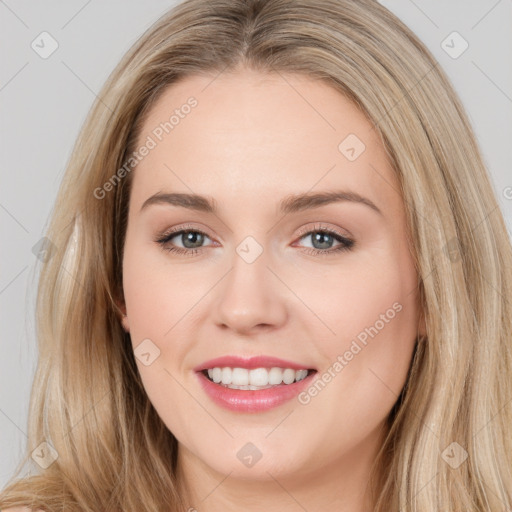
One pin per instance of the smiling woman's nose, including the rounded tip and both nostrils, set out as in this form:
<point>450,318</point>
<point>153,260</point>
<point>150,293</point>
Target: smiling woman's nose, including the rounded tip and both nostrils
<point>250,298</point>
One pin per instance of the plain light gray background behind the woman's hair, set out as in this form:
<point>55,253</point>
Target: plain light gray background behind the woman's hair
<point>45,101</point>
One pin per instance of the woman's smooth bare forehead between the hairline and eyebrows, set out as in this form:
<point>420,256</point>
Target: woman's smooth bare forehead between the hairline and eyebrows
<point>245,136</point>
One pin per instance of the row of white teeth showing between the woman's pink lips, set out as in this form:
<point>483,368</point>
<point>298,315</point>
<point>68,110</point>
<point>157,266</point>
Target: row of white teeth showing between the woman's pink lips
<point>255,379</point>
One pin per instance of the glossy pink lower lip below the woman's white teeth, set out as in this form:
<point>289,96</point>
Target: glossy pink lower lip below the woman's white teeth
<point>252,400</point>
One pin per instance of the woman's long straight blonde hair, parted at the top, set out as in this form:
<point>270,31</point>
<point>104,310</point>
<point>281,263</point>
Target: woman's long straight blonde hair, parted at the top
<point>88,402</point>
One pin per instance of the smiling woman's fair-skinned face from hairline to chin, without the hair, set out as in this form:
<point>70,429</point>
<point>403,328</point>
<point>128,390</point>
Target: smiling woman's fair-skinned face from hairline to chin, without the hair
<point>325,285</point>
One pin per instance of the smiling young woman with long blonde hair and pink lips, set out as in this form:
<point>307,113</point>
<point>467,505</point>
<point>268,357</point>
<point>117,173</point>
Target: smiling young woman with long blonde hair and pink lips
<point>337,333</point>
